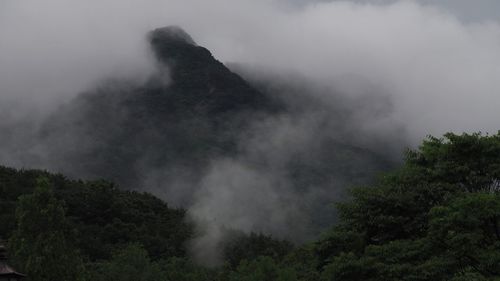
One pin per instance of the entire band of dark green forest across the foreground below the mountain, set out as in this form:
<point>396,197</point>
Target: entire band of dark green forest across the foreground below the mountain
<point>435,218</point>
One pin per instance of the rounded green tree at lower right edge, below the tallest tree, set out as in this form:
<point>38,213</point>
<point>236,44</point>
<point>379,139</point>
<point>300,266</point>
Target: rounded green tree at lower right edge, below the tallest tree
<point>468,230</point>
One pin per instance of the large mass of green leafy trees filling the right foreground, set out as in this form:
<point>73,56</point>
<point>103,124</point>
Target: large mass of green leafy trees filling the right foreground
<point>436,218</point>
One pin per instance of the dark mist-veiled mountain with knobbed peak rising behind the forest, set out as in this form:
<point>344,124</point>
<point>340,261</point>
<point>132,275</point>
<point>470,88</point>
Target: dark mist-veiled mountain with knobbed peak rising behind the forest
<point>194,121</point>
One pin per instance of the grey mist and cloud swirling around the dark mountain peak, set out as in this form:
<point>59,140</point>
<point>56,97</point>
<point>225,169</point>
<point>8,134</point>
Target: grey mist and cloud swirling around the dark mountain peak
<point>379,75</point>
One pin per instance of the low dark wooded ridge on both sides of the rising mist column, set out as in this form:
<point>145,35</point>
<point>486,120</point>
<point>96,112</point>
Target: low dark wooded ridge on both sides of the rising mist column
<point>105,219</point>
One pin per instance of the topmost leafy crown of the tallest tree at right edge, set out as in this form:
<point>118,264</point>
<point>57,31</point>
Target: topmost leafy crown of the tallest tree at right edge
<point>469,162</point>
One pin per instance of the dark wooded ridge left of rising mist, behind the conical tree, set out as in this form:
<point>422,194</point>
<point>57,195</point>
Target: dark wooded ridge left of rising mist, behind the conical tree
<point>104,217</point>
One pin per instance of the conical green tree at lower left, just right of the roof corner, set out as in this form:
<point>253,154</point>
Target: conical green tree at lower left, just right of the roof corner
<point>42,244</point>
